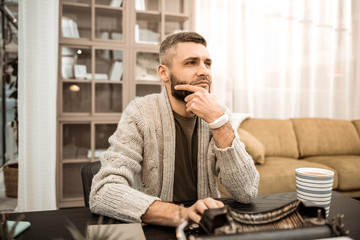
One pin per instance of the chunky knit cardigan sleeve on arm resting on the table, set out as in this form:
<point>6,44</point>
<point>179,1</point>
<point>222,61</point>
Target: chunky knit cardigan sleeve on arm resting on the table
<point>113,192</point>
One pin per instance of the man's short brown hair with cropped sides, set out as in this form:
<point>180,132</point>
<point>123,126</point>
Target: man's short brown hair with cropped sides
<point>172,40</point>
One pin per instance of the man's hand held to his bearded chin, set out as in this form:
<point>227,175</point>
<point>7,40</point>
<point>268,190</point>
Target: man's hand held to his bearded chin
<point>201,102</point>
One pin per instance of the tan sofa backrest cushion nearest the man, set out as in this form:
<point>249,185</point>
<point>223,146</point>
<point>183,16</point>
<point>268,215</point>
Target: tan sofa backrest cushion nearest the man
<point>277,136</point>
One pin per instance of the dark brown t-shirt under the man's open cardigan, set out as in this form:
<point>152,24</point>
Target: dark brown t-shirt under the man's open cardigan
<point>185,179</point>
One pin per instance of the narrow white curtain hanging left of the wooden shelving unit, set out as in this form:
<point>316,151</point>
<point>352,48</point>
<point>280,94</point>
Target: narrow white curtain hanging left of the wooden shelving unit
<point>38,41</point>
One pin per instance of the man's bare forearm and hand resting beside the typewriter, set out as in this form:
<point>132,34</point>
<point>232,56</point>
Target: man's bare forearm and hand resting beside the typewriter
<point>167,214</point>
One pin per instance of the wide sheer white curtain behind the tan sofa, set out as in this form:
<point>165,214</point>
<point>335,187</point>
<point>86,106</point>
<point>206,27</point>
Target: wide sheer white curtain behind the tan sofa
<point>284,58</point>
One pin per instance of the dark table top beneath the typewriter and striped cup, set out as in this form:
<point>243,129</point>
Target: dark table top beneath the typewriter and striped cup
<point>53,224</point>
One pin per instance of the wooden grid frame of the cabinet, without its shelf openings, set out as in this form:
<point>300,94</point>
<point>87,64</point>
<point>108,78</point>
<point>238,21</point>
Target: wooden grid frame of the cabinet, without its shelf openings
<point>129,49</point>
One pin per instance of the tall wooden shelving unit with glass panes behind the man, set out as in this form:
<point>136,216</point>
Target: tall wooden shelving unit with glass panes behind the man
<point>108,55</point>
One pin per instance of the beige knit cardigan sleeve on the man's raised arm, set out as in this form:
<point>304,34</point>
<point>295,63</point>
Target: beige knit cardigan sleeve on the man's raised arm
<point>236,170</point>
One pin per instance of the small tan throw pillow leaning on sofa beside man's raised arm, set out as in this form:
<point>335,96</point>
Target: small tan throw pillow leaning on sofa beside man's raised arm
<point>253,146</point>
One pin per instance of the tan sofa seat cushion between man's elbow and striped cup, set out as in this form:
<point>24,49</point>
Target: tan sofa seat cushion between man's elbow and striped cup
<point>278,174</point>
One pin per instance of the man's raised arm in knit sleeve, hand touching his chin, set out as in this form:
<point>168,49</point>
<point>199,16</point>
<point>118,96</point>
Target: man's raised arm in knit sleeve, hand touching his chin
<point>237,172</point>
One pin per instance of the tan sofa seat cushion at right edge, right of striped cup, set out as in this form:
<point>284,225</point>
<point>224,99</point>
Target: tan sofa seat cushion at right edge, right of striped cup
<point>347,168</point>
